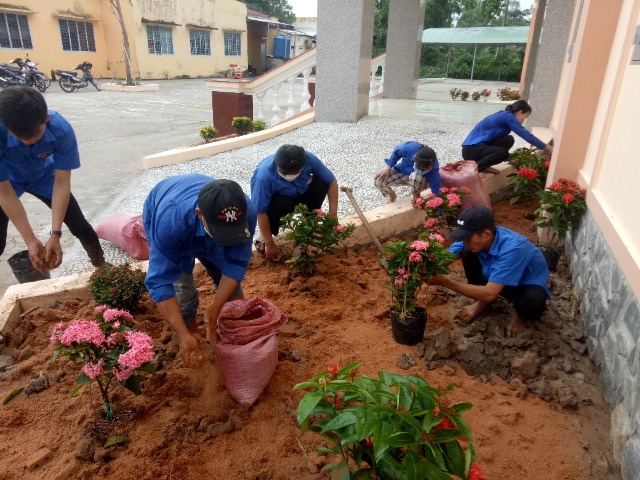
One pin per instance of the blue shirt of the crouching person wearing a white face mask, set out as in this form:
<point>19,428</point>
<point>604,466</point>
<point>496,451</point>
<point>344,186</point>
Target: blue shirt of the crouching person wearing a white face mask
<point>266,181</point>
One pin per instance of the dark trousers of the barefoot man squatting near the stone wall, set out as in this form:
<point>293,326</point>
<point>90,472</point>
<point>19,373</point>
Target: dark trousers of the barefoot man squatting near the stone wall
<point>529,301</point>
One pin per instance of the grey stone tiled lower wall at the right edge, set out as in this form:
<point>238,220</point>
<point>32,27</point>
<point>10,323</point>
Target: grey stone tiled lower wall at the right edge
<point>611,315</point>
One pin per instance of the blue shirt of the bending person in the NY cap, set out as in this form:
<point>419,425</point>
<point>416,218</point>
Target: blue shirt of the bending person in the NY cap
<point>177,236</point>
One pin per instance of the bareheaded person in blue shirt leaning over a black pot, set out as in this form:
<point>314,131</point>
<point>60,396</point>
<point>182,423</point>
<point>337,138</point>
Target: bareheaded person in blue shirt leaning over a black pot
<point>38,151</point>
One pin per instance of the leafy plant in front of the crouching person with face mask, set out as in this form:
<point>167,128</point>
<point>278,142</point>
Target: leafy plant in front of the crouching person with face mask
<point>314,233</point>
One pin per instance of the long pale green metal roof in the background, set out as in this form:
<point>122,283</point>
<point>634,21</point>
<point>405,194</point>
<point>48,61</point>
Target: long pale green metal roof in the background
<point>477,36</point>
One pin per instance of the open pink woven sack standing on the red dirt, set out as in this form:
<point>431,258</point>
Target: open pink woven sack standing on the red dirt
<point>247,347</point>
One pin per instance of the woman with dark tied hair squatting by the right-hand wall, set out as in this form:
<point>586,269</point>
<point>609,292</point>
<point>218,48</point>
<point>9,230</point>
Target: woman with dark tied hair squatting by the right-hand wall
<point>489,142</point>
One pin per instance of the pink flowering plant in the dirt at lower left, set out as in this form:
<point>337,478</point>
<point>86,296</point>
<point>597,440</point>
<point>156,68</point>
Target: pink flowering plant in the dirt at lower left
<point>112,351</point>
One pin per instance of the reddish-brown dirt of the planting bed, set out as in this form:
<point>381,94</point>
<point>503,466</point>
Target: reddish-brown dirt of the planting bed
<point>338,316</point>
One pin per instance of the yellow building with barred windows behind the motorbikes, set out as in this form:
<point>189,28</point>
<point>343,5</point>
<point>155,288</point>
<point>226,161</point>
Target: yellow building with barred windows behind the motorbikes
<point>167,39</point>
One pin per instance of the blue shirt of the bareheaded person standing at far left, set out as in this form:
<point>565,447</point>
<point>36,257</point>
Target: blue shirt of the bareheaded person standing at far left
<point>31,167</point>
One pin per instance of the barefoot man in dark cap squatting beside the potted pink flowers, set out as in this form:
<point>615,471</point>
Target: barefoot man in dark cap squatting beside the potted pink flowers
<point>497,261</point>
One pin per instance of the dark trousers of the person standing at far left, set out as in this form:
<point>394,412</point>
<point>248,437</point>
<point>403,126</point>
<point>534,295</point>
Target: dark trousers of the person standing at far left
<point>77,224</point>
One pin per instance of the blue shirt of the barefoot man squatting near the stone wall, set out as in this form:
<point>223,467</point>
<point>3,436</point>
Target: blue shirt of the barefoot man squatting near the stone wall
<point>512,261</point>
